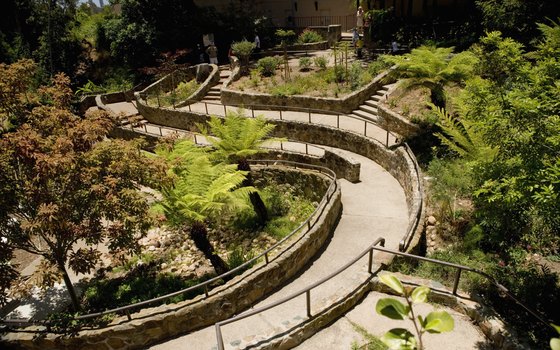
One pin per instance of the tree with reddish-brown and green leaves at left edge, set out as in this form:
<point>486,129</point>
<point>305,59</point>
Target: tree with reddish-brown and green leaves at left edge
<point>65,190</point>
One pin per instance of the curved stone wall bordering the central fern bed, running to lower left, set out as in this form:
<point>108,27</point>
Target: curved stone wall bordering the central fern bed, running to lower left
<point>151,325</point>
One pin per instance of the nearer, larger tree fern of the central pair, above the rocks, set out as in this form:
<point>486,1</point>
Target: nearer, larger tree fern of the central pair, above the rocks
<point>200,191</point>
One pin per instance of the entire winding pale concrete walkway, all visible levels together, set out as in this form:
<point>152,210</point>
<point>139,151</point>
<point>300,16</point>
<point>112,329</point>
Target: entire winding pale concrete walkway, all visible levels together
<point>373,208</point>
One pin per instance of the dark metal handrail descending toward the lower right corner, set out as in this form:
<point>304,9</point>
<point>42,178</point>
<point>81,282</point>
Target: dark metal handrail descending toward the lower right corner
<point>501,288</point>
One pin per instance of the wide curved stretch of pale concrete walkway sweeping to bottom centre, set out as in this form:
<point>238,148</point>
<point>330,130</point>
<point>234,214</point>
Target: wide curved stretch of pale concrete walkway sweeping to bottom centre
<point>375,207</point>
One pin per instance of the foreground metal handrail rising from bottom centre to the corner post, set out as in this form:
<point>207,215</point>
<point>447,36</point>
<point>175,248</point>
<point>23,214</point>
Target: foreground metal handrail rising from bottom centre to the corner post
<point>306,290</point>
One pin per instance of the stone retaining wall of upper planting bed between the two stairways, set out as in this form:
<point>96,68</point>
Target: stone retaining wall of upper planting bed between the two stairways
<point>340,105</point>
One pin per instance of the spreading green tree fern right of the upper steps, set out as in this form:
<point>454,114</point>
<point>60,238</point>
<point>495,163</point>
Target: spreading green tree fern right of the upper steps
<point>433,68</point>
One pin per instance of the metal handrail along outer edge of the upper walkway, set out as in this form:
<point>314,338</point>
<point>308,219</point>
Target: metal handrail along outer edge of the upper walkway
<point>280,109</point>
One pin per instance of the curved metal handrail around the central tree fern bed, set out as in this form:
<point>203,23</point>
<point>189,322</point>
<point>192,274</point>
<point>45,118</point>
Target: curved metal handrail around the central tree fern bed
<point>308,222</point>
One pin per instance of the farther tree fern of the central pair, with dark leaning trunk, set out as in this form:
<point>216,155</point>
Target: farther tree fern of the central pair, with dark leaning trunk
<point>235,138</point>
